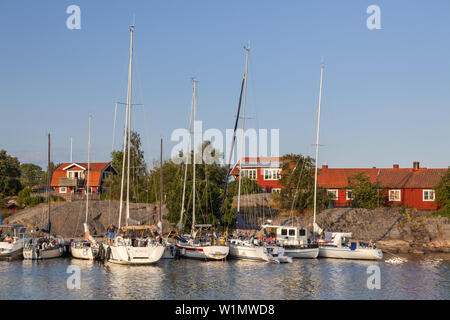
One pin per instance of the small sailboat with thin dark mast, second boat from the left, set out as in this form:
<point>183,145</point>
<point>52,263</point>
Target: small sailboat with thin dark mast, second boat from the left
<point>47,247</point>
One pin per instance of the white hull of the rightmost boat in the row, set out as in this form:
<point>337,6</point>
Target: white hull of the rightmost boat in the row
<point>347,253</point>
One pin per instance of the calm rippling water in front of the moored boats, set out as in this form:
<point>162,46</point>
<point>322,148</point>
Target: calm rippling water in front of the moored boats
<point>410,278</point>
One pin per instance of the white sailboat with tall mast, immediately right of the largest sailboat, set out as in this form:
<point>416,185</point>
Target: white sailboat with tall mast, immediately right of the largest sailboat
<point>196,247</point>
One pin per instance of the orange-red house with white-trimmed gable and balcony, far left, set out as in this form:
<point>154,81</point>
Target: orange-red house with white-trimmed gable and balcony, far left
<point>70,178</point>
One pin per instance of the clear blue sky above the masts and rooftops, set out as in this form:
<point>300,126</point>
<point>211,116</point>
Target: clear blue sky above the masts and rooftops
<point>386,93</point>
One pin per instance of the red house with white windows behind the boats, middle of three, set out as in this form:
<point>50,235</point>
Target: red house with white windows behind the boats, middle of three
<point>265,170</point>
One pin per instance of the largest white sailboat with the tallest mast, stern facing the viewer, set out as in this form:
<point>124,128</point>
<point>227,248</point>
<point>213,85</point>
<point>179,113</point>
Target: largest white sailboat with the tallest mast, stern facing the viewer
<point>131,247</point>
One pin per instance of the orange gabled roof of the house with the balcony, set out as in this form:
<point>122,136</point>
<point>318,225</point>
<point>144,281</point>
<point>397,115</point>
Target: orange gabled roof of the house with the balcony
<point>95,173</point>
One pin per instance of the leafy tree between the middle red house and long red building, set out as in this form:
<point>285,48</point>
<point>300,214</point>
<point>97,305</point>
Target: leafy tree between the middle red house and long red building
<point>297,181</point>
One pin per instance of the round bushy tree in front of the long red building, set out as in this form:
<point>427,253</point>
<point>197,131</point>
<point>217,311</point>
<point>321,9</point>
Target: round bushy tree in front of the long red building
<point>364,193</point>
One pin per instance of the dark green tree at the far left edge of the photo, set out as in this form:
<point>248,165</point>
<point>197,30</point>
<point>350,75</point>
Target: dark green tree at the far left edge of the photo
<point>9,175</point>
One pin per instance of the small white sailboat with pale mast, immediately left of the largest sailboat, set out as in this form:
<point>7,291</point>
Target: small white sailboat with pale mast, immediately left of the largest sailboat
<point>88,248</point>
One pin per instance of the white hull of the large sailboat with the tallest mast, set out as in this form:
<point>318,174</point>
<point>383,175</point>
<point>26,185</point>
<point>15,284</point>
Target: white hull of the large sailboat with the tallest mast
<point>125,254</point>
